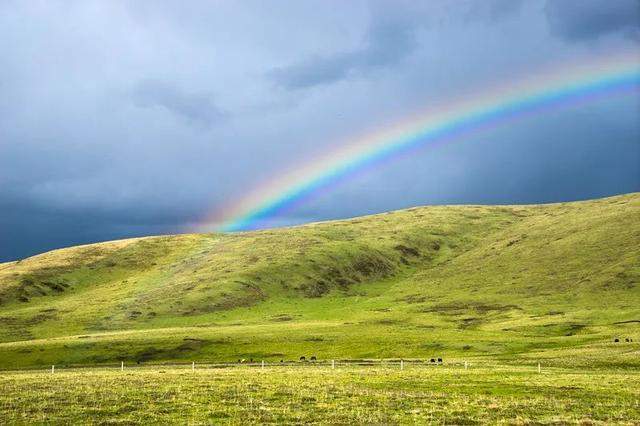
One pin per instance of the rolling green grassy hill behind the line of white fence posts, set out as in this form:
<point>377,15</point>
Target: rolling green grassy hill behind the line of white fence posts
<point>516,284</point>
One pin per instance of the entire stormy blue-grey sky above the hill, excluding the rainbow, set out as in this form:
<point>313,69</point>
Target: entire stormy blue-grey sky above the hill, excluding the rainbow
<point>130,118</point>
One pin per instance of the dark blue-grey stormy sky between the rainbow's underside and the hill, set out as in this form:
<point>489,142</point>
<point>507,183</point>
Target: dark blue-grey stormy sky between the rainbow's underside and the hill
<point>535,162</point>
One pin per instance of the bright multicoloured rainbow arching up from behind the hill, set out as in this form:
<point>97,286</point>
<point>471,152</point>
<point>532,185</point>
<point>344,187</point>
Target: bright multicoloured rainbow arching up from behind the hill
<point>538,93</point>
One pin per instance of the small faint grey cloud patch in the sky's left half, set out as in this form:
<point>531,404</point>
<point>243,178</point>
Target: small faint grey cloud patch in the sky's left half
<point>197,108</point>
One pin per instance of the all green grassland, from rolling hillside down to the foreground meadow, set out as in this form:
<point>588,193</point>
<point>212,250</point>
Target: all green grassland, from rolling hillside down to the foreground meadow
<point>507,286</point>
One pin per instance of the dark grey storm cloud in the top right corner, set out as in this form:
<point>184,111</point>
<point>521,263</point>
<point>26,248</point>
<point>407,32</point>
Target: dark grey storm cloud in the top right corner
<point>588,19</point>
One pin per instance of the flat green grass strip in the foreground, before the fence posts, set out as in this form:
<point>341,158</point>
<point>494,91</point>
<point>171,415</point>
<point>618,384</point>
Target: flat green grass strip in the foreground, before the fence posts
<point>418,394</point>
